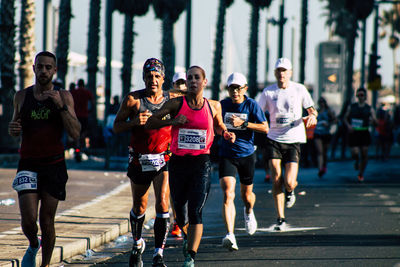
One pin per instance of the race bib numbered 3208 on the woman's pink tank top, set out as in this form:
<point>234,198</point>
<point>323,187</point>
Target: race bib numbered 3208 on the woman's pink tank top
<point>192,139</point>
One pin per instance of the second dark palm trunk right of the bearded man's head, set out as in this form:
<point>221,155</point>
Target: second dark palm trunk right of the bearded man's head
<point>93,50</point>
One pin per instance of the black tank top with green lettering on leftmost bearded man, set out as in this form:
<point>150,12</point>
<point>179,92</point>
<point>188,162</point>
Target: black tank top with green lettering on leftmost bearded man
<point>42,128</point>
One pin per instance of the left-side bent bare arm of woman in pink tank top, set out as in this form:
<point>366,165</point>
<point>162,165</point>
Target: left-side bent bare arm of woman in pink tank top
<point>171,107</point>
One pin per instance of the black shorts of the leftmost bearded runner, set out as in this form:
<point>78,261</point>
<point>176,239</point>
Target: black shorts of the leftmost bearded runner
<point>51,178</point>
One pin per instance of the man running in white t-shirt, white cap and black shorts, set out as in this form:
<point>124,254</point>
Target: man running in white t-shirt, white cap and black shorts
<point>285,101</point>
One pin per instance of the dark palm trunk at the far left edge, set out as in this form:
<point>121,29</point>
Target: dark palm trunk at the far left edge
<point>7,55</point>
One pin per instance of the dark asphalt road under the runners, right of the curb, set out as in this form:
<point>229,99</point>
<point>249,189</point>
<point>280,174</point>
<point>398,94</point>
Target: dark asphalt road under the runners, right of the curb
<point>336,221</point>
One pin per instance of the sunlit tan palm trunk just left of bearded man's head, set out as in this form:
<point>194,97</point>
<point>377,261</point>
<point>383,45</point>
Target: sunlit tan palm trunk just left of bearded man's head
<point>26,43</point>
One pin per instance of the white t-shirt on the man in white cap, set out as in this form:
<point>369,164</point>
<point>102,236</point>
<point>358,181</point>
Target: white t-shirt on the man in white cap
<point>285,107</point>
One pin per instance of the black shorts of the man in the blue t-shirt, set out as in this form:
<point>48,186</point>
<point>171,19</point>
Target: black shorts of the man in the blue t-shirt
<point>244,166</point>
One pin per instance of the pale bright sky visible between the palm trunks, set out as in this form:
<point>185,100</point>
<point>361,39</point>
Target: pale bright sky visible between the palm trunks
<point>147,42</point>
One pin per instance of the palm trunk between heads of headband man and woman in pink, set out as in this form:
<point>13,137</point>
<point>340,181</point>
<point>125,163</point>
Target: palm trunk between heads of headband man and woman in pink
<point>168,50</point>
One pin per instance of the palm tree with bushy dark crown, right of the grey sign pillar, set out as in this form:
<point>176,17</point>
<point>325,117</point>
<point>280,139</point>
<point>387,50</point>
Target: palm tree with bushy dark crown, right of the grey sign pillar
<point>344,16</point>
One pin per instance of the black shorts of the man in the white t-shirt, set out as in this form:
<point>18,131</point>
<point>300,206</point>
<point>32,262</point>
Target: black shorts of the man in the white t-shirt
<point>283,151</point>
